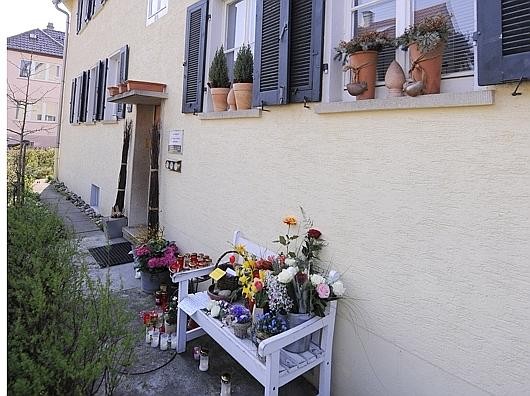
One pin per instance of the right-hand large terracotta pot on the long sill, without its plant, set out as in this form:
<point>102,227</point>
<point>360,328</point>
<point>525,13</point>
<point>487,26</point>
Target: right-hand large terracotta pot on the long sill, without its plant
<point>428,67</point>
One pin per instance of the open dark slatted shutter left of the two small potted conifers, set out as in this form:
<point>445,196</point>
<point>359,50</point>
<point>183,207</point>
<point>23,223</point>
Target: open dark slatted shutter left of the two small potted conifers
<point>194,57</point>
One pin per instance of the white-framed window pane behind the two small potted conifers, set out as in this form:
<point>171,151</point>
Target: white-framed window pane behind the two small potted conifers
<point>240,29</point>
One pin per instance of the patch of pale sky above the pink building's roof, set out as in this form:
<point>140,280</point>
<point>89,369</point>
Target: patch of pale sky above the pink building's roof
<point>22,15</point>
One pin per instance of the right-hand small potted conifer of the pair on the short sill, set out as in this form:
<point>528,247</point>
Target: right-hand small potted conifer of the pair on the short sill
<point>243,78</point>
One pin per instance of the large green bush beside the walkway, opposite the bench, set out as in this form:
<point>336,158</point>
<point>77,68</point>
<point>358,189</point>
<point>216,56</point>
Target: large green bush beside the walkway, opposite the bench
<point>66,332</point>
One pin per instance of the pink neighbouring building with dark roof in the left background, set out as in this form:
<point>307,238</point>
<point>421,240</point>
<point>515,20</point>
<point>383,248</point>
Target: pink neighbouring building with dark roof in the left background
<point>39,52</point>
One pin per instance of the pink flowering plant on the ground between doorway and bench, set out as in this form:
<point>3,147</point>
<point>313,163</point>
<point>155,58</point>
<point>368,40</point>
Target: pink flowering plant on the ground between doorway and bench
<point>156,255</point>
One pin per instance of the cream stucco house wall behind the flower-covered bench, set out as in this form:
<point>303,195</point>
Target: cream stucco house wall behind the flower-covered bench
<point>427,212</point>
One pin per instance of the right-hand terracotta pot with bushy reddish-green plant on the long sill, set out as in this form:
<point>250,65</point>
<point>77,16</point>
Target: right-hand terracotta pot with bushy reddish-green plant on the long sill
<point>426,41</point>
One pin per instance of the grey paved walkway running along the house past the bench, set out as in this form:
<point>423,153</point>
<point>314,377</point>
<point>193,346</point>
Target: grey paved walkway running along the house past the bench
<point>181,377</point>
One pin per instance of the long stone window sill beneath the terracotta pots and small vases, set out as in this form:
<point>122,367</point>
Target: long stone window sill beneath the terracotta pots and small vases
<point>461,99</point>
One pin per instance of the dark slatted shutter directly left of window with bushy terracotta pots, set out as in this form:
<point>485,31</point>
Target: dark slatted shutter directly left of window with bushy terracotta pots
<point>305,54</point>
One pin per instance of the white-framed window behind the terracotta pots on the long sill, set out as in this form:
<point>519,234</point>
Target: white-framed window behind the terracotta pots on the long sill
<point>394,16</point>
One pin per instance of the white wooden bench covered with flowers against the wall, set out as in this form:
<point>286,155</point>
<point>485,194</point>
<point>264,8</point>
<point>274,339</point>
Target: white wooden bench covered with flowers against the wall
<point>272,366</point>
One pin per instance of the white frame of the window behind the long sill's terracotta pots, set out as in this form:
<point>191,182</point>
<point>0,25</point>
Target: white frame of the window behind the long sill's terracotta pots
<point>453,82</point>
